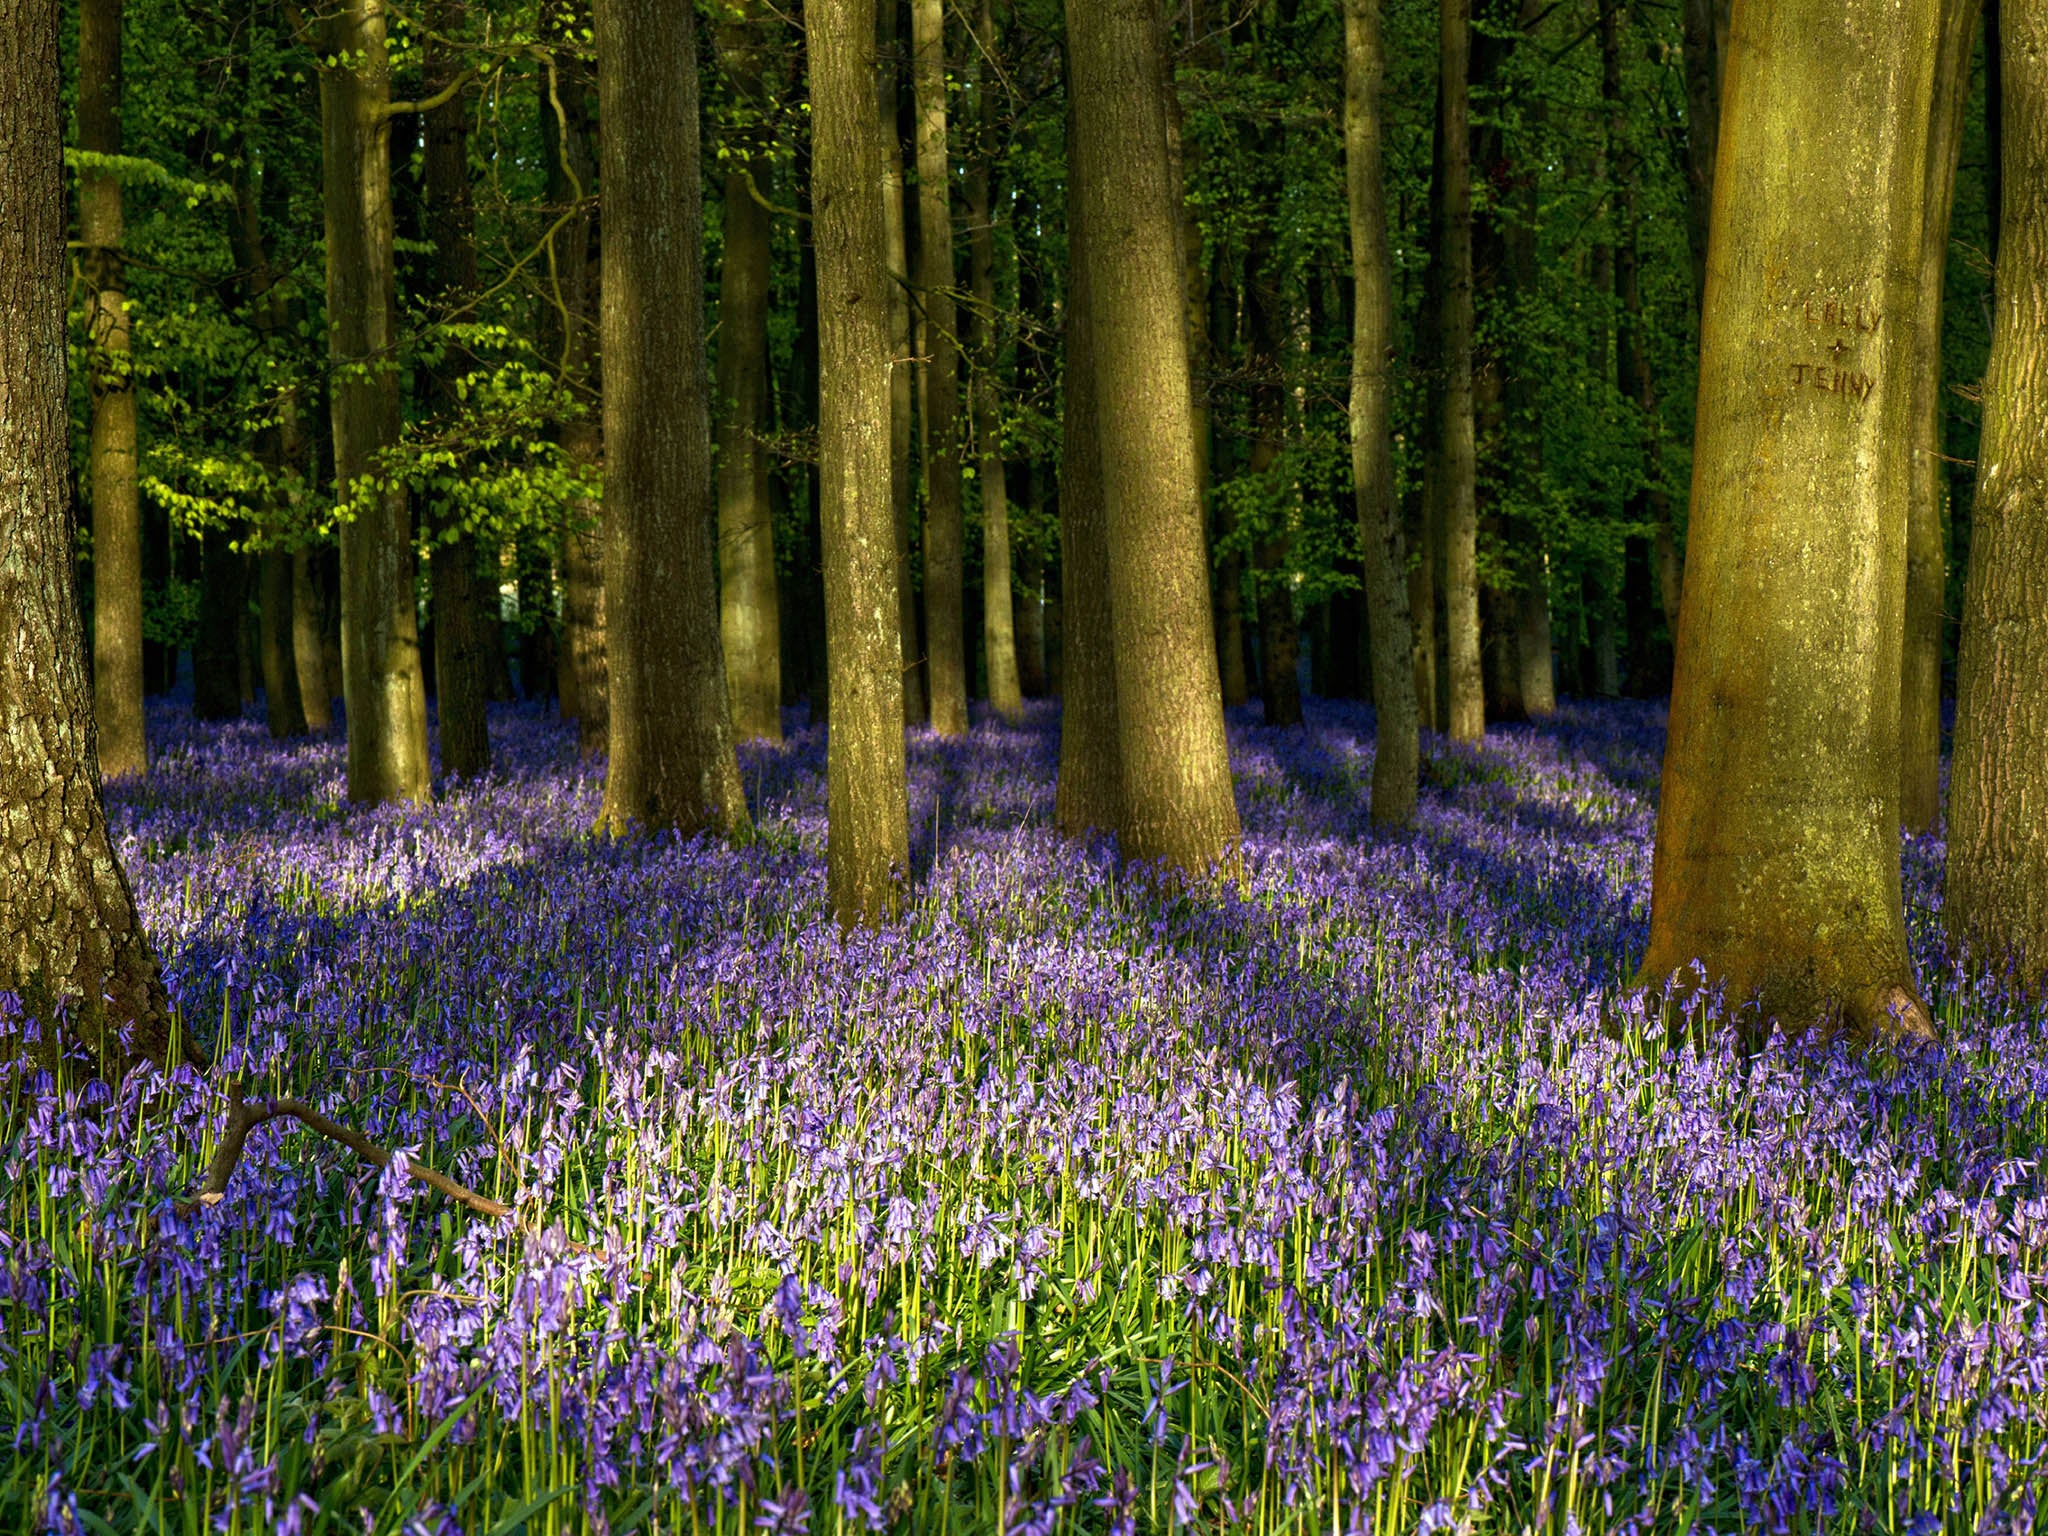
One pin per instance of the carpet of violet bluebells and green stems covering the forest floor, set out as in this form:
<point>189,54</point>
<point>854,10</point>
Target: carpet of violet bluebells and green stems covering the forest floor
<point>1338,1197</point>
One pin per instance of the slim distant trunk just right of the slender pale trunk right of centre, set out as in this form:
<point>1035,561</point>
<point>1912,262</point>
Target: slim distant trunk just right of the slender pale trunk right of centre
<point>1457,454</point>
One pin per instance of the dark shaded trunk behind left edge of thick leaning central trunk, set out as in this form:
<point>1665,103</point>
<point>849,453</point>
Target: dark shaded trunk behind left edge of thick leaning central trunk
<point>1091,769</point>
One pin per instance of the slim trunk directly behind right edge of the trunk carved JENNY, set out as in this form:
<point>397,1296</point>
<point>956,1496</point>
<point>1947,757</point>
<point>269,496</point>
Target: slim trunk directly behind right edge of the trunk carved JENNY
<point>1920,708</point>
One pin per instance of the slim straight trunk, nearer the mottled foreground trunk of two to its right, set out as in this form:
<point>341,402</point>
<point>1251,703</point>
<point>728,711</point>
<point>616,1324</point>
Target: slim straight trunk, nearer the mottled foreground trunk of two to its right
<point>945,603</point>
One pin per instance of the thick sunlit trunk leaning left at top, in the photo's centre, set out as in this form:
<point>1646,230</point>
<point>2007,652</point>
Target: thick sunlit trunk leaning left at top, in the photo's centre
<point>1179,800</point>
